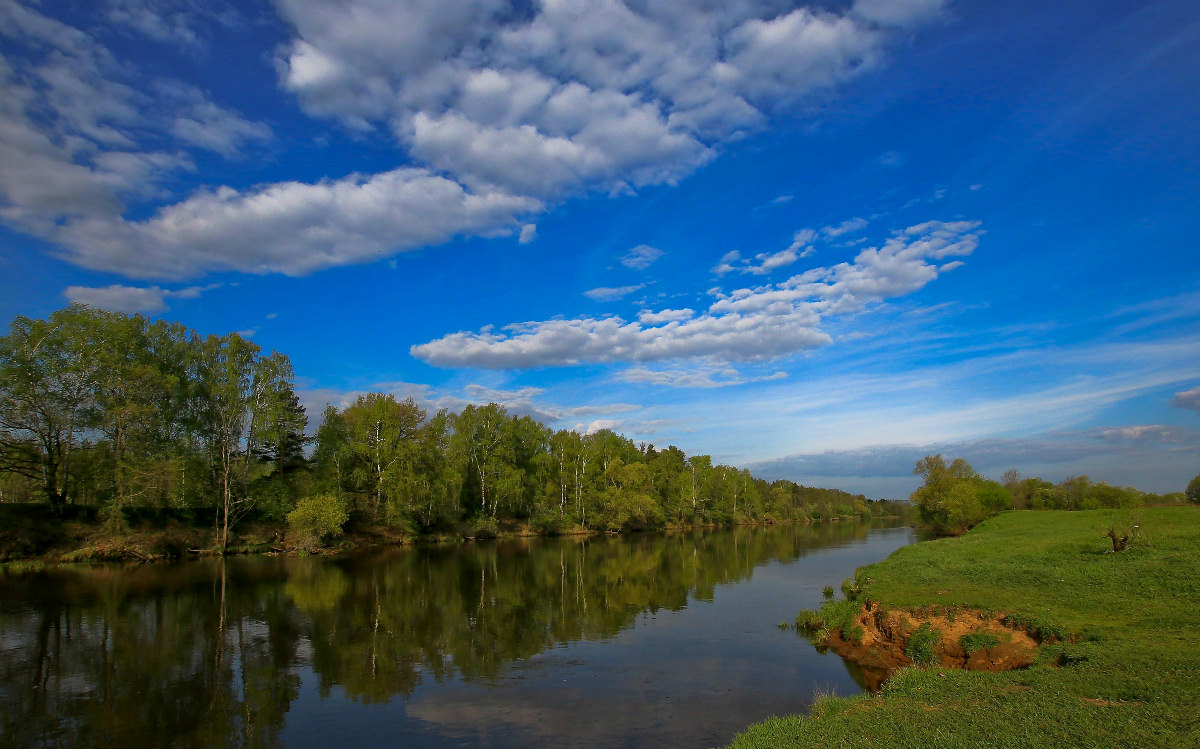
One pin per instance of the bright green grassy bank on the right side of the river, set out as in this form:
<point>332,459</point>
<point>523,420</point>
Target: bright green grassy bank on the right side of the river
<point>1132,678</point>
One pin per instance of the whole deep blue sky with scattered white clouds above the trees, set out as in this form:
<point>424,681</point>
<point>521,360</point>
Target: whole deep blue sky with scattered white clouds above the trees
<point>815,239</point>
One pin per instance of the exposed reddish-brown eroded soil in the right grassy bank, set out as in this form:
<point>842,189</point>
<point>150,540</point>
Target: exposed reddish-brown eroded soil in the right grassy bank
<point>886,634</point>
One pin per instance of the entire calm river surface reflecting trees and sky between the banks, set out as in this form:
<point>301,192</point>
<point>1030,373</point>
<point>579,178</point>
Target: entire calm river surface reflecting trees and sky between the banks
<point>633,642</point>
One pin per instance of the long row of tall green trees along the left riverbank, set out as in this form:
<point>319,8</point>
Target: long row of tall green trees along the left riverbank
<point>121,414</point>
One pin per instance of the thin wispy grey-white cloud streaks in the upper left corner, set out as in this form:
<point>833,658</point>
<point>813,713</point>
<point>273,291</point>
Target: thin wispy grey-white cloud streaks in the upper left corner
<point>74,127</point>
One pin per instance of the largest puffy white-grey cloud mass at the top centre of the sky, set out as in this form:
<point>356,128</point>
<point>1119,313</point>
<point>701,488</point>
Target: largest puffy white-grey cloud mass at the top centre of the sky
<point>568,97</point>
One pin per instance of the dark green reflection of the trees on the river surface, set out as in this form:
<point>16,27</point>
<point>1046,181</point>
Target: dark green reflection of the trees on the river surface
<point>214,654</point>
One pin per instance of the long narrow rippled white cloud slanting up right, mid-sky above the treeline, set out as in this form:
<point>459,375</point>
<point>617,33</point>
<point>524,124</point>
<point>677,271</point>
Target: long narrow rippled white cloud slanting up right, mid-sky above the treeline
<point>749,325</point>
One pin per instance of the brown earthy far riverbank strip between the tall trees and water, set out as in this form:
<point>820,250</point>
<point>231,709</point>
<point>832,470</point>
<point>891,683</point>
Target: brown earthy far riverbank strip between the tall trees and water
<point>34,535</point>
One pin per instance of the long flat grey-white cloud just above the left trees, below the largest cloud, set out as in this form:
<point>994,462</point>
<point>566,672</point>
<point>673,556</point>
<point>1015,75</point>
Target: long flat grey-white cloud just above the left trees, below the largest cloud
<point>292,227</point>
